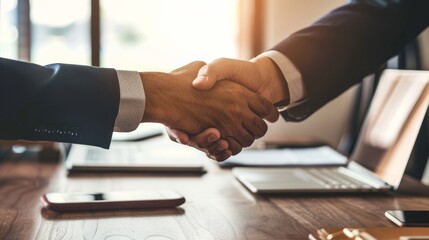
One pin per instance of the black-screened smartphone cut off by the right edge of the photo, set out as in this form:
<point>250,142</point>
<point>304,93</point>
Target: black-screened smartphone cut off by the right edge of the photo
<point>417,218</point>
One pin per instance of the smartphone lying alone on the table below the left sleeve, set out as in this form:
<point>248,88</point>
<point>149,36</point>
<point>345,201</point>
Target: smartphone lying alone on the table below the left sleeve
<point>112,200</point>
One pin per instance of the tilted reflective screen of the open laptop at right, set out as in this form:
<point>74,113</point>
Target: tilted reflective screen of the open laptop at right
<point>392,124</point>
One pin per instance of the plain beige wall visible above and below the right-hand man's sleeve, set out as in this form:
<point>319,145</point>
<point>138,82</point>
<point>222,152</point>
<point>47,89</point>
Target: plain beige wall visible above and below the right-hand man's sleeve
<point>283,17</point>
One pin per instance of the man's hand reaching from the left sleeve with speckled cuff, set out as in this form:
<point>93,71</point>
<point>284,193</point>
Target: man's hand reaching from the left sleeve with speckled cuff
<point>234,110</point>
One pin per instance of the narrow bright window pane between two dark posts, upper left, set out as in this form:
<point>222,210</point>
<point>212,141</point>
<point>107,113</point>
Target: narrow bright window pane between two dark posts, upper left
<point>60,31</point>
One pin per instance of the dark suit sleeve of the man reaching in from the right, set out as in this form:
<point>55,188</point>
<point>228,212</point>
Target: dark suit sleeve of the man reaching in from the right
<point>349,43</point>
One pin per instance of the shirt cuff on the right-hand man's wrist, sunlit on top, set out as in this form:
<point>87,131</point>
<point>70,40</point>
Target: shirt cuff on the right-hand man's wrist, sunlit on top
<point>297,93</point>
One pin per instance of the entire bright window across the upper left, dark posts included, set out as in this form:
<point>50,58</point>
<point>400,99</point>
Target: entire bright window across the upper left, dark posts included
<point>128,34</point>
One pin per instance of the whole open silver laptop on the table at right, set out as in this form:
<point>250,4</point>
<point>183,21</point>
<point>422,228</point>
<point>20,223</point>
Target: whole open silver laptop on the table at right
<point>382,151</point>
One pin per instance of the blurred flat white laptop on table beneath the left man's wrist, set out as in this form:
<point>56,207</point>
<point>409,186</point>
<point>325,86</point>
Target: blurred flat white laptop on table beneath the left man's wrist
<point>147,150</point>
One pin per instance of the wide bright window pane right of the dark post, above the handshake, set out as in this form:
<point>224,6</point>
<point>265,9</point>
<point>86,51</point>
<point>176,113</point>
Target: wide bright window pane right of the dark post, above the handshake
<point>165,34</point>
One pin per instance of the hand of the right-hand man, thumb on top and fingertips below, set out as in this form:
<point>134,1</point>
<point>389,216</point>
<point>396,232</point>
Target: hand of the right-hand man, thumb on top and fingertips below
<point>260,75</point>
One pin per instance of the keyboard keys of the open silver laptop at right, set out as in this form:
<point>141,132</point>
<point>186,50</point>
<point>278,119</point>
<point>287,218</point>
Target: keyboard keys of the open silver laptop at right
<point>331,178</point>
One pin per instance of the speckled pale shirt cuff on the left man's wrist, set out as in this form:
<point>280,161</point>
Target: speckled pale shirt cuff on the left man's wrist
<point>132,101</point>
